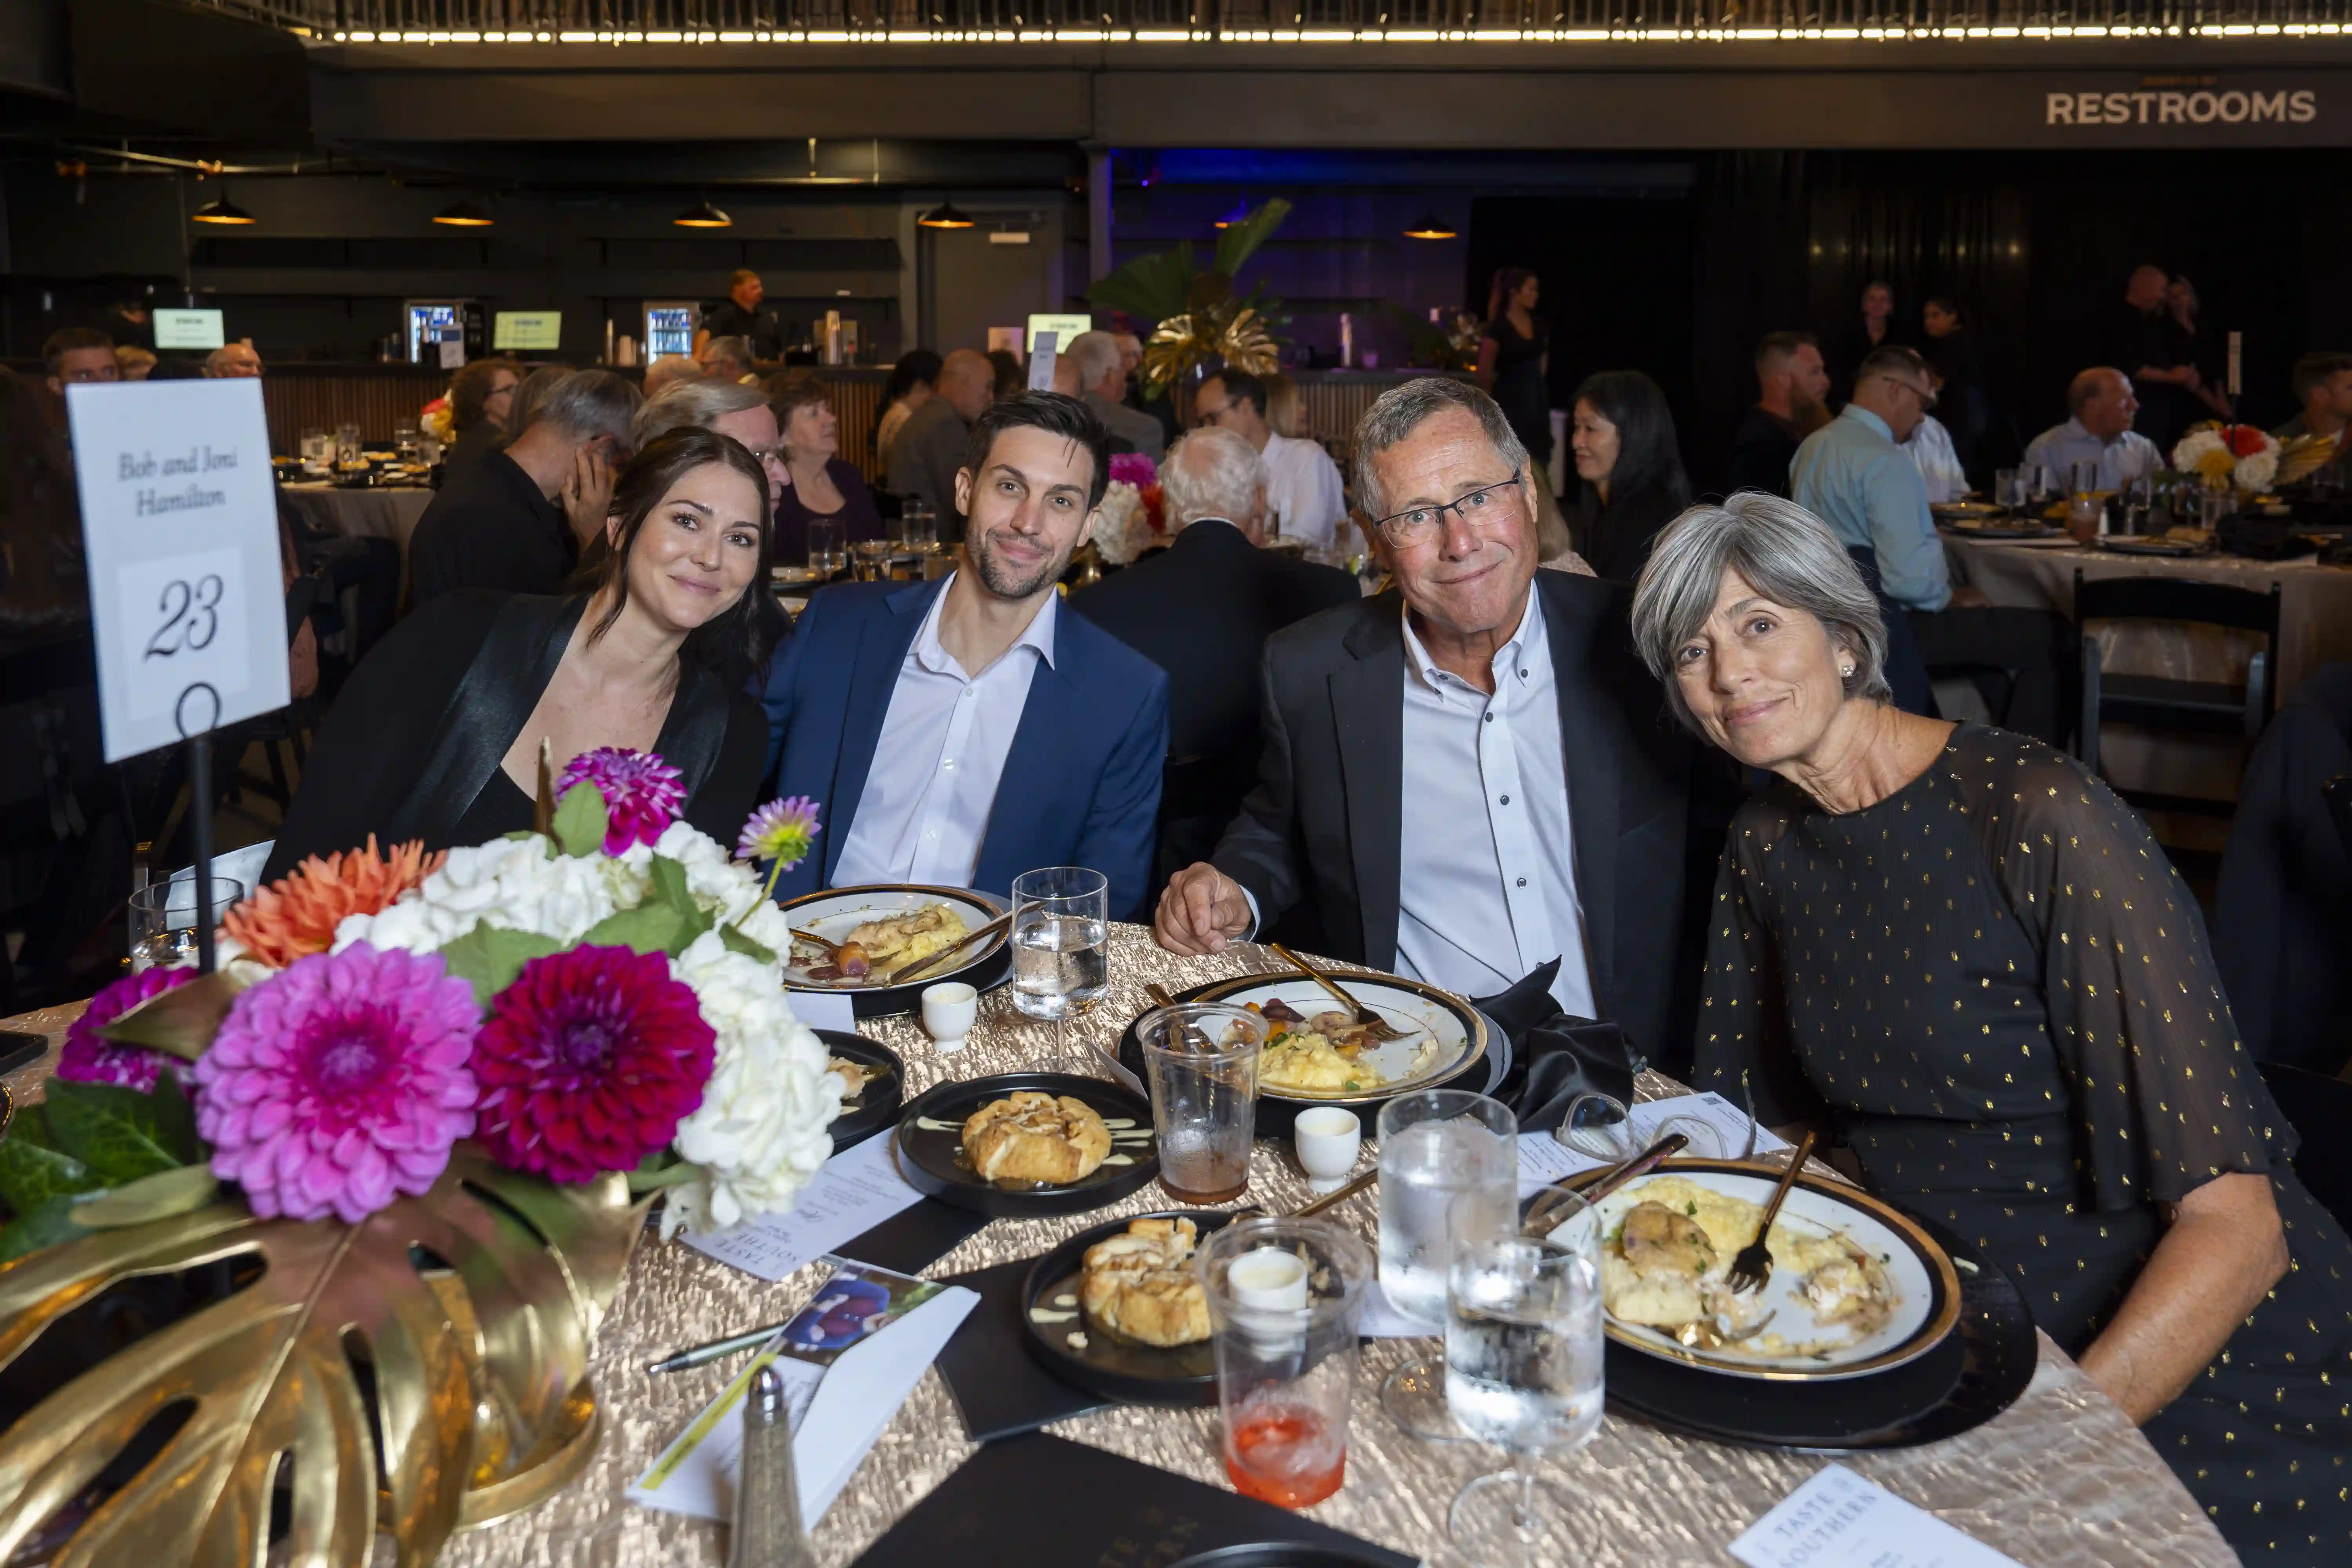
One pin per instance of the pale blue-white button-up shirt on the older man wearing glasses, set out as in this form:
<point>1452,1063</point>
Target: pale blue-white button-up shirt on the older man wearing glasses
<point>1488,869</point>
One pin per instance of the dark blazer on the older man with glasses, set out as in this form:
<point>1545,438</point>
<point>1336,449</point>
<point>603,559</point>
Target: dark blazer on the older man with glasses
<point>1328,815</point>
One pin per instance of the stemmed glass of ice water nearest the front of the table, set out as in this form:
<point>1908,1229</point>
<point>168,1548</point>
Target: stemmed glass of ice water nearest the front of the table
<point>1523,1365</point>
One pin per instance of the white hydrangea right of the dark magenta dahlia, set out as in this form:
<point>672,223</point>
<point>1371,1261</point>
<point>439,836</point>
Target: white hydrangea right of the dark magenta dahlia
<point>761,1130</point>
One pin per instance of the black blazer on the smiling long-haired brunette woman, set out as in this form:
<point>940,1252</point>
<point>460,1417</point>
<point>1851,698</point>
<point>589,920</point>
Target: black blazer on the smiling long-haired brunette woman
<point>429,716</point>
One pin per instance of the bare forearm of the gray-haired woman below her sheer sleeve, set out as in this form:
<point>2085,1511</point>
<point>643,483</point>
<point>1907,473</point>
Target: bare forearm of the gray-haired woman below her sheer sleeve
<point>2212,1268</point>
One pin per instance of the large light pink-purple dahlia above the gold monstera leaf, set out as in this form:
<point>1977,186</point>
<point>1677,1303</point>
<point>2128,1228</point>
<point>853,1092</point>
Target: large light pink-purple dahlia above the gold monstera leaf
<point>340,1083</point>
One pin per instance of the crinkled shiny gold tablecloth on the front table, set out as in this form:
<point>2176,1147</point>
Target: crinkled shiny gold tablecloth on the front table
<point>2059,1482</point>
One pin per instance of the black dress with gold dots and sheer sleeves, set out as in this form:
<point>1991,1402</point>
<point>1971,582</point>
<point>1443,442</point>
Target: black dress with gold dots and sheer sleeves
<point>1996,989</point>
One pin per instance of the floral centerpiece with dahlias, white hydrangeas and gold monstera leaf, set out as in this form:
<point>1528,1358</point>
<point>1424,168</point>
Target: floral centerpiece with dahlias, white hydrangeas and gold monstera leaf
<point>413,1080</point>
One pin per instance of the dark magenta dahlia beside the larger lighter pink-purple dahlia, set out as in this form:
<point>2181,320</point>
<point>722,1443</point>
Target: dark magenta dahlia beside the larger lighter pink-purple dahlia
<point>589,1061</point>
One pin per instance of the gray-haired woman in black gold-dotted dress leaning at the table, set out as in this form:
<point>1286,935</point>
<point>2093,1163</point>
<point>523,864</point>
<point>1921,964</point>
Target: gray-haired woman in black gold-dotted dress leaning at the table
<point>1970,963</point>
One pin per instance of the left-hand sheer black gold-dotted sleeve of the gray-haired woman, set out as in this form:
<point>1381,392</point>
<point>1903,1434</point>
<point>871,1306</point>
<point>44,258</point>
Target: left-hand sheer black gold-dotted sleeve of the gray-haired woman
<point>1744,1003</point>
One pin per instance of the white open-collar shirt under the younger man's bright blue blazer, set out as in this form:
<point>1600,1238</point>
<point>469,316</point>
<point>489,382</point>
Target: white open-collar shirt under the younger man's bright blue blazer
<point>940,758</point>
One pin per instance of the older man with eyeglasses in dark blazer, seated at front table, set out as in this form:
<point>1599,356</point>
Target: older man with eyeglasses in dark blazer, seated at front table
<point>1466,777</point>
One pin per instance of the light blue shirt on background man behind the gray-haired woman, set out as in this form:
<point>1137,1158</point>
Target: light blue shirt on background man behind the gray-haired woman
<point>1855,478</point>
